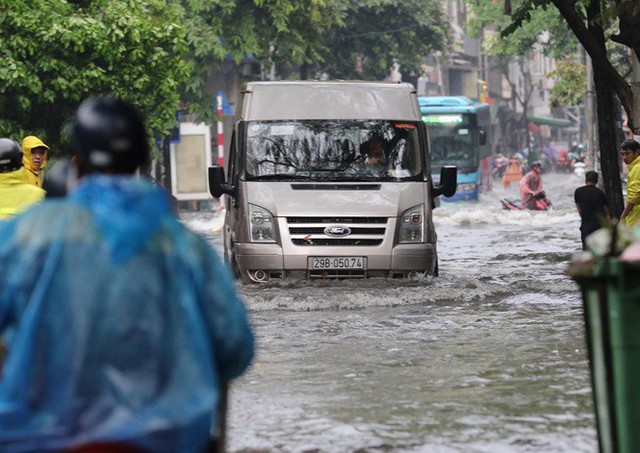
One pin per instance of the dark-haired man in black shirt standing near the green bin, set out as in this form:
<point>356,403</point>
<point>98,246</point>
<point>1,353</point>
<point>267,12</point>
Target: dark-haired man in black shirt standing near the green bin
<point>591,203</point>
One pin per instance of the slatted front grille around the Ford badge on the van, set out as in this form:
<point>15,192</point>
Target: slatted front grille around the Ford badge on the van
<point>358,231</point>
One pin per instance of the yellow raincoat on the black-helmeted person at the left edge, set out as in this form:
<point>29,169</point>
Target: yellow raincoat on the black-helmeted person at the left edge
<point>16,194</point>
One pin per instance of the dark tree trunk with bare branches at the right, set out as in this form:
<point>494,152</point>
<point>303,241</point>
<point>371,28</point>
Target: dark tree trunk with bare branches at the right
<point>589,19</point>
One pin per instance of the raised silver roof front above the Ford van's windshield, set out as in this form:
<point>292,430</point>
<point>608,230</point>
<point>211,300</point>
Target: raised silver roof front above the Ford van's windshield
<point>303,100</point>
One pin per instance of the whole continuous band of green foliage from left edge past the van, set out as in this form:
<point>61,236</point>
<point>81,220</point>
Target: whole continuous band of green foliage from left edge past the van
<point>159,54</point>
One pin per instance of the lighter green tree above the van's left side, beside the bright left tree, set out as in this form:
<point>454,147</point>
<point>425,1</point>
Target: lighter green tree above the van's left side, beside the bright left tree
<point>283,32</point>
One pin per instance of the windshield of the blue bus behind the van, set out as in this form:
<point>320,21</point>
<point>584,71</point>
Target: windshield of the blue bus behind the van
<point>452,140</point>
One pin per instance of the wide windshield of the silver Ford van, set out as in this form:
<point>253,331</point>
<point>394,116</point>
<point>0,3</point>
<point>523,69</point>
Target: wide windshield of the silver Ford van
<point>333,150</point>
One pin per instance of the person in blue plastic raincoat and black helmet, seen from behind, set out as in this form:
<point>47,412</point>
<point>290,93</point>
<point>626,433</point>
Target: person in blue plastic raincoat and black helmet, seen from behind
<point>121,324</point>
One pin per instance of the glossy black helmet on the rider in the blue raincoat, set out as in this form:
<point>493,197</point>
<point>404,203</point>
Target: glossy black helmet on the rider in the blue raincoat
<point>109,135</point>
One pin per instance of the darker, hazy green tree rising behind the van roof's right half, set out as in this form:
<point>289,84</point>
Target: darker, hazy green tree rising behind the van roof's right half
<point>379,33</point>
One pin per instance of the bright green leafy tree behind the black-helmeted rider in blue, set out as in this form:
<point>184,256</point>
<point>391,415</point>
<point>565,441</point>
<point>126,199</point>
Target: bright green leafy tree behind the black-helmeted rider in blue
<point>56,53</point>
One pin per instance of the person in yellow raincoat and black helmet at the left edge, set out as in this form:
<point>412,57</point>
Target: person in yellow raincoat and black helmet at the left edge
<point>16,194</point>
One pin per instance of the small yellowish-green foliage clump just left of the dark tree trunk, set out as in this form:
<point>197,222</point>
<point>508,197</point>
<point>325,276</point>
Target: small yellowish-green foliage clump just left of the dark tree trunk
<point>570,86</point>
